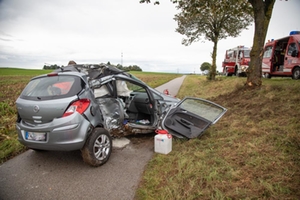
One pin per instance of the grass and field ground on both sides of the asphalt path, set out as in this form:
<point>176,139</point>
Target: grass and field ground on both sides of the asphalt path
<point>253,152</point>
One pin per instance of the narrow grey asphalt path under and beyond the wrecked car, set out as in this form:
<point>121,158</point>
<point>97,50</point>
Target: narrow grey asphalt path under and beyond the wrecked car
<point>63,175</point>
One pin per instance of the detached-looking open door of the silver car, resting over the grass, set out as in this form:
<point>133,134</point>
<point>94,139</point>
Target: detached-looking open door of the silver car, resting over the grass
<point>191,116</point>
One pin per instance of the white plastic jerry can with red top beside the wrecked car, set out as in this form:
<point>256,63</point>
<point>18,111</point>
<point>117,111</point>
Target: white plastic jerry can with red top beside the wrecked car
<point>162,142</point>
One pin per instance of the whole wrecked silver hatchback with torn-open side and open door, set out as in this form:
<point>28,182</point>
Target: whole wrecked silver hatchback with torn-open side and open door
<point>81,107</point>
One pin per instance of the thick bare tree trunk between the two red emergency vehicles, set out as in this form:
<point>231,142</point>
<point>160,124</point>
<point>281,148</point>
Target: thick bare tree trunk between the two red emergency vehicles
<point>262,15</point>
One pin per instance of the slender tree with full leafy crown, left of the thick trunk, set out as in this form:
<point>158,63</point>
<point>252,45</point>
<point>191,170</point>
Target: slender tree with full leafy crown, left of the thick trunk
<point>212,20</point>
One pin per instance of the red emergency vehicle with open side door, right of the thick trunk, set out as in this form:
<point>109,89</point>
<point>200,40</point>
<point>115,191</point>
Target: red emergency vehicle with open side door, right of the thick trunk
<point>282,57</point>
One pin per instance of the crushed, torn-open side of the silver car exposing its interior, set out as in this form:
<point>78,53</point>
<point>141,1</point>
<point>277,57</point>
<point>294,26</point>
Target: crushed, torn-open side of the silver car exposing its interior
<point>125,103</point>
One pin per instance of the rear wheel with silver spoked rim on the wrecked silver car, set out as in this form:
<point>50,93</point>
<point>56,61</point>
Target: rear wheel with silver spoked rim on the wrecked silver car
<point>97,148</point>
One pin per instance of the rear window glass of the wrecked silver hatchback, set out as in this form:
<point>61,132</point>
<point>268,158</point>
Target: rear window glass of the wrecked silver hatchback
<point>52,87</point>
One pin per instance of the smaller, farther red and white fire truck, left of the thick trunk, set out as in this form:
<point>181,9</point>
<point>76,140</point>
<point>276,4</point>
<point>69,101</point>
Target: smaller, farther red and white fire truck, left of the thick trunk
<point>236,61</point>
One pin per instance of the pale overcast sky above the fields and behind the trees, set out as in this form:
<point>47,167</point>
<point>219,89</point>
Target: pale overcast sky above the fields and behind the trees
<point>34,33</point>
